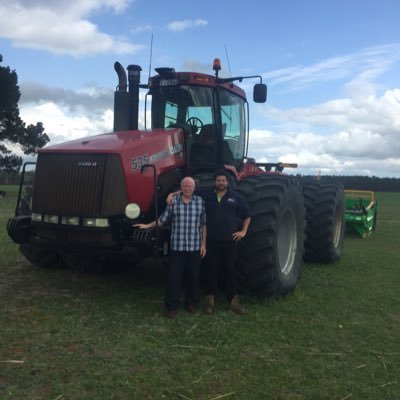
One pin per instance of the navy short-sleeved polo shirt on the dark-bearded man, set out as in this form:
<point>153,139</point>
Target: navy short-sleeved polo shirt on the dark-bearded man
<point>226,216</point>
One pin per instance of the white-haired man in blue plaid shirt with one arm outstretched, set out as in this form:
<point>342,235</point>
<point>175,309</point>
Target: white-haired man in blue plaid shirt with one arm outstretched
<point>188,246</point>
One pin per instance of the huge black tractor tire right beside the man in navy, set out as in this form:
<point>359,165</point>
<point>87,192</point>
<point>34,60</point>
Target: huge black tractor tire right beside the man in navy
<point>270,256</point>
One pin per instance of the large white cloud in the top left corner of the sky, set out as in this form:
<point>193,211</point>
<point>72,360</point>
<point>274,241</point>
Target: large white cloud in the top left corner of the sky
<point>61,27</point>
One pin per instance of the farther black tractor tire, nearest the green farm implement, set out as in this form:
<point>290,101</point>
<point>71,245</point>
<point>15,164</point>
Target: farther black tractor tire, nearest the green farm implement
<point>325,216</point>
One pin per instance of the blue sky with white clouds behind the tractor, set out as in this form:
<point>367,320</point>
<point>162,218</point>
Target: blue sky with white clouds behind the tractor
<point>332,69</point>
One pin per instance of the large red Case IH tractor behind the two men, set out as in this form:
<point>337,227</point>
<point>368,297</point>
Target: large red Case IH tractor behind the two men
<point>87,193</point>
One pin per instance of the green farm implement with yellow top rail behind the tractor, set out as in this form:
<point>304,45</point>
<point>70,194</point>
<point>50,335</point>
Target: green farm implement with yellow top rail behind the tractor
<point>361,212</point>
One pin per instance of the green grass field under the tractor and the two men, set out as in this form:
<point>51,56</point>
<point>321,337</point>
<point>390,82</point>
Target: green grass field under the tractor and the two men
<point>71,335</point>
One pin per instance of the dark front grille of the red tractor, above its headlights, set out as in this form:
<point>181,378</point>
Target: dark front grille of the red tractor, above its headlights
<point>82,185</point>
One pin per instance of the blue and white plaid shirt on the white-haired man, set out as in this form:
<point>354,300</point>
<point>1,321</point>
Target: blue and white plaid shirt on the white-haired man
<point>187,221</point>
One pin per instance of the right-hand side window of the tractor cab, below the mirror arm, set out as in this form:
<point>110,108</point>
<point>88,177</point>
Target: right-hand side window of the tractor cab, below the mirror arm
<point>233,124</point>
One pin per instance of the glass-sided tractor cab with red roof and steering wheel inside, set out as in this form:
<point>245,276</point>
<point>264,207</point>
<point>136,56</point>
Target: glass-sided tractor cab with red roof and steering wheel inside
<point>212,112</point>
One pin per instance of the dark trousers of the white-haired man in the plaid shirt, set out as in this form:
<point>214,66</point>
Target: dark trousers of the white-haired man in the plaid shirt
<point>184,269</point>
